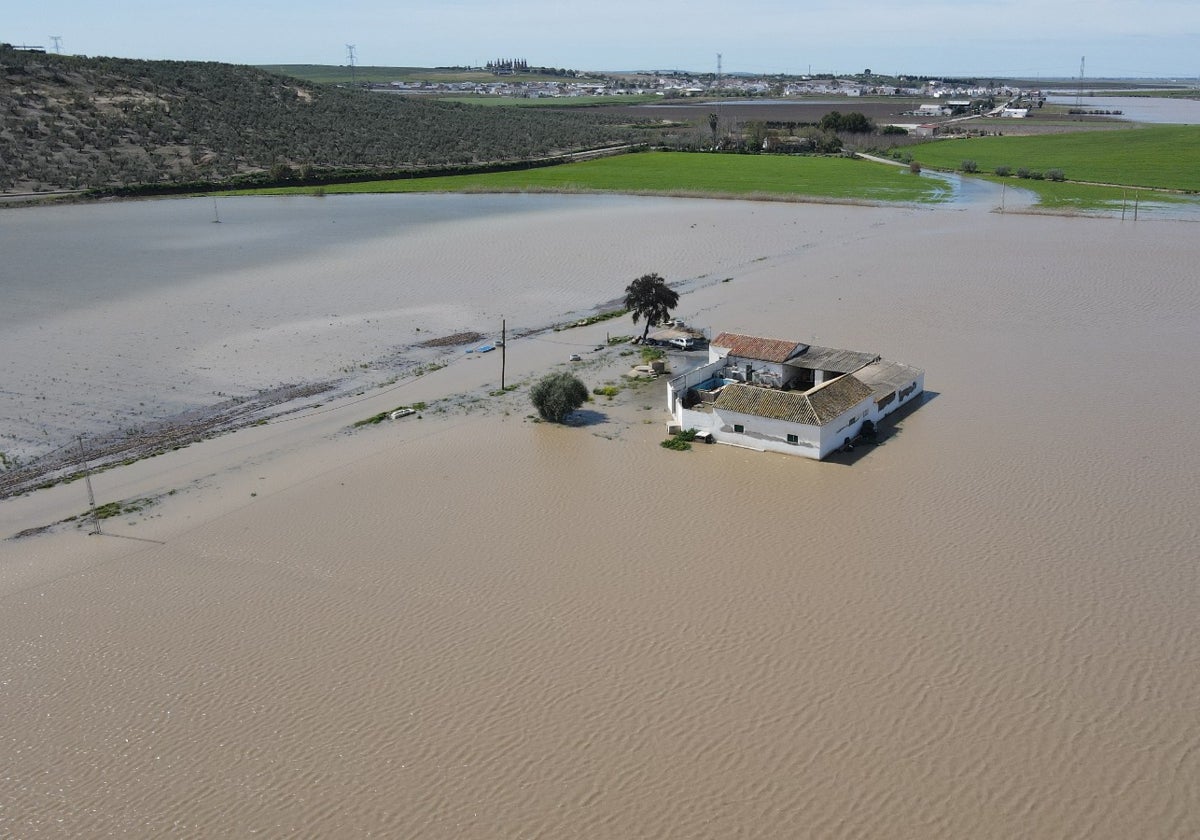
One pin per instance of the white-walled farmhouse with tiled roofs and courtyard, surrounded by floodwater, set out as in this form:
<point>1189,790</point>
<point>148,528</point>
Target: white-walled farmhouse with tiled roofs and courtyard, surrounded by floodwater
<point>784,397</point>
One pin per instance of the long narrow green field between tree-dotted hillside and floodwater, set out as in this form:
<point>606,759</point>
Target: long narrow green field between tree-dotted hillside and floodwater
<point>683,175</point>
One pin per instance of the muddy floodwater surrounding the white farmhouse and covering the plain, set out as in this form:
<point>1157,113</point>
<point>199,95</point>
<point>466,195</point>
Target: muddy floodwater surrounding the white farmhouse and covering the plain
<point>469,625</point>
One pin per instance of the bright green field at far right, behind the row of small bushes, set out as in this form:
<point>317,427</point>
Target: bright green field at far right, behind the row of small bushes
<point>1165,158</point>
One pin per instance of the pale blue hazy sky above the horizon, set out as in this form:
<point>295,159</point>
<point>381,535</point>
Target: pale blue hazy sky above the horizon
<point>1028,39</point>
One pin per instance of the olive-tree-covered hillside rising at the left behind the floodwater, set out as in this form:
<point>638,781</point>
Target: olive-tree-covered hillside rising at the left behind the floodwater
<point>73,123</point>
